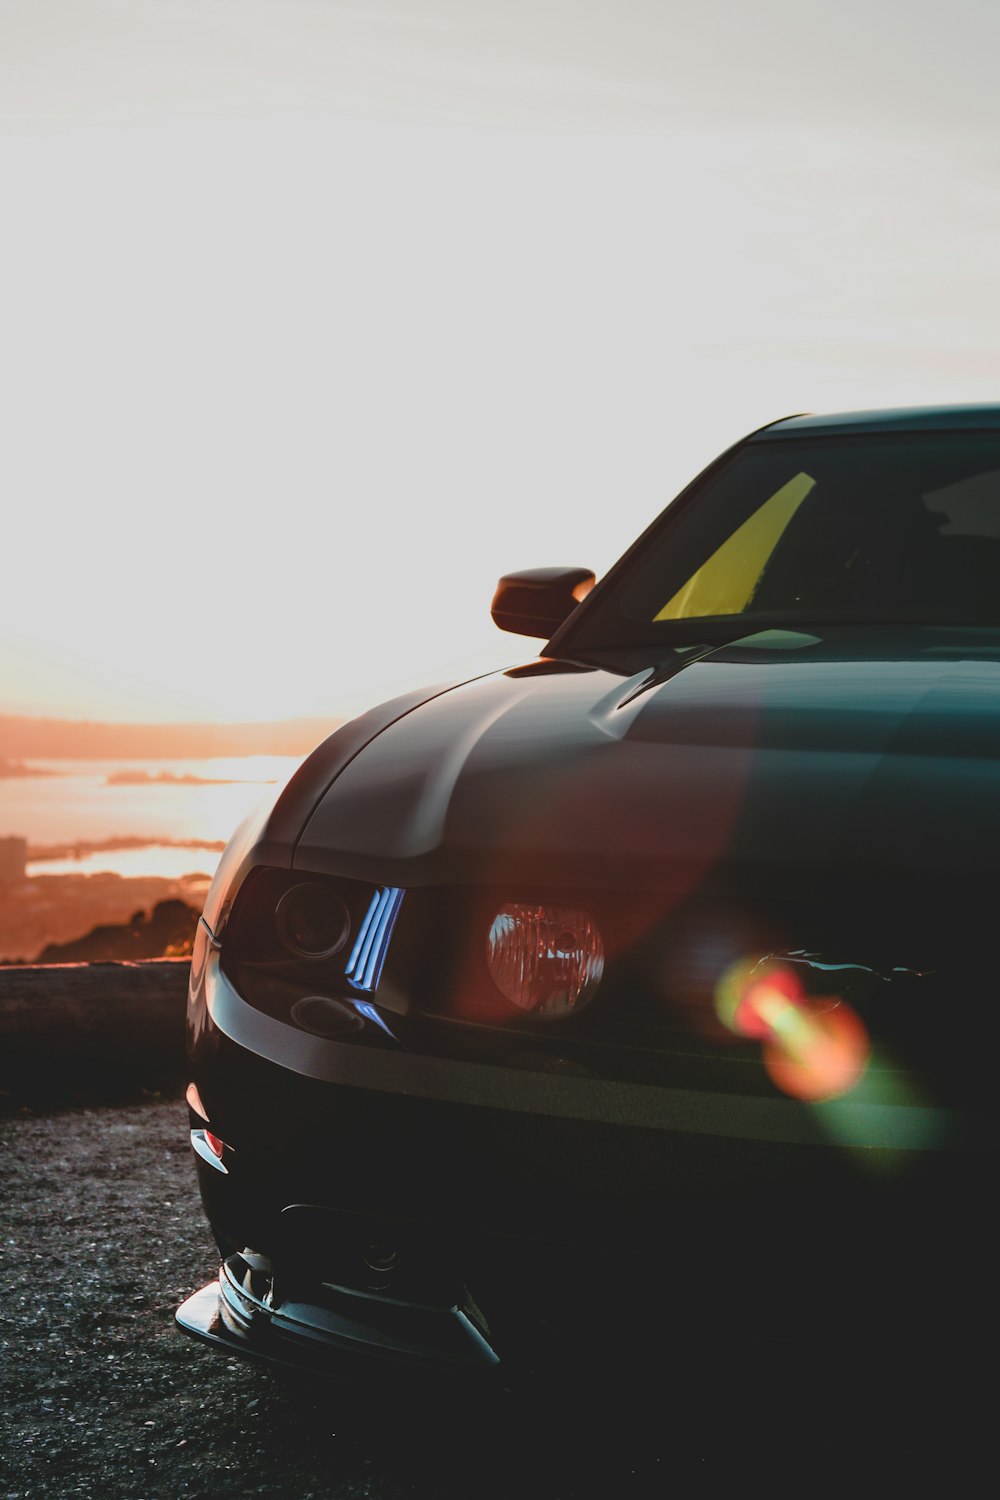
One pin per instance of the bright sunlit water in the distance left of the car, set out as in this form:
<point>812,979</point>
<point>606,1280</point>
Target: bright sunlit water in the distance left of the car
<point>161,803</point>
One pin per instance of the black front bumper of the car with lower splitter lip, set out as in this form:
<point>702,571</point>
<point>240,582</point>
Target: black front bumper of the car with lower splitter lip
<point>391,1214</point>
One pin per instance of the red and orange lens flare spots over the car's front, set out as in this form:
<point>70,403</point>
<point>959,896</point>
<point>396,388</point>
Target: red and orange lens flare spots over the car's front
<point>815,1048</point>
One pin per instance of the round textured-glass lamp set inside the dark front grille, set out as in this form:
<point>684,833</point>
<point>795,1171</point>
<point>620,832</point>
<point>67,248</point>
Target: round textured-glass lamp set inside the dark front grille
<point>548,961</point>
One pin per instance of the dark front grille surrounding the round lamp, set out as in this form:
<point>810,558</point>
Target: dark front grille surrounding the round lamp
<point>914,967</point>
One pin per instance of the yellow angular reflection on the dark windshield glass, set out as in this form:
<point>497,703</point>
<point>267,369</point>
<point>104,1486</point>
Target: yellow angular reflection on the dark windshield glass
<point>728,581</point>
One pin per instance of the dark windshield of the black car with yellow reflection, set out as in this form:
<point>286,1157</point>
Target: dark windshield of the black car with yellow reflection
<point>812,532</point>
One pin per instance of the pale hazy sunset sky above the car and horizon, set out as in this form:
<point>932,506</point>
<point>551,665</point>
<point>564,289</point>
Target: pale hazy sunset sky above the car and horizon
<point>319,317</point>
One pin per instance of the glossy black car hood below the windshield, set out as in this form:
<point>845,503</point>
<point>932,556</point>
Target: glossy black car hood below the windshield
<point>771,760</point>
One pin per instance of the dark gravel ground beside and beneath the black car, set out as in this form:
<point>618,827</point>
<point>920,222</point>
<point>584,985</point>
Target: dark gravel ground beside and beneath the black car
<point>103,1396</point>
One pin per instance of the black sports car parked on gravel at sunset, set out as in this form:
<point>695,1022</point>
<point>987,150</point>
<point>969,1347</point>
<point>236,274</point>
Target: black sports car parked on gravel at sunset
<point>644,997</point>
